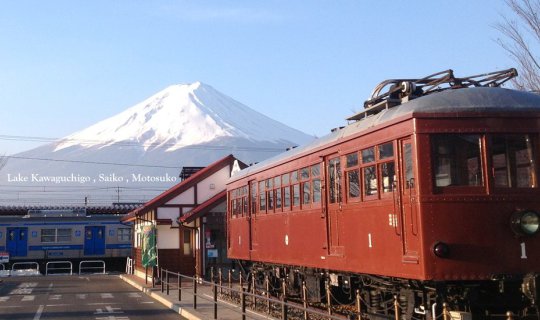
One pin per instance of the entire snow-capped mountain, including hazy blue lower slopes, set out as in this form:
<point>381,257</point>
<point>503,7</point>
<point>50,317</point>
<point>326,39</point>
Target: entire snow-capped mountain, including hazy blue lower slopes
<point>182,125</point>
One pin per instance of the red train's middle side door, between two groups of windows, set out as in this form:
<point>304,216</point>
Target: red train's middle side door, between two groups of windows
<point>333,203</point>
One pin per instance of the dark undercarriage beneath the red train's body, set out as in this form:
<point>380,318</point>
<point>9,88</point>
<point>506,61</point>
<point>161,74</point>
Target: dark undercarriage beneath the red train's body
<point>378,297</point>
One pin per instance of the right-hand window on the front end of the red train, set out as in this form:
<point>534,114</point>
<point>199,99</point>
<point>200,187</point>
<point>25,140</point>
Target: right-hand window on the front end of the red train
<point>512,159</point>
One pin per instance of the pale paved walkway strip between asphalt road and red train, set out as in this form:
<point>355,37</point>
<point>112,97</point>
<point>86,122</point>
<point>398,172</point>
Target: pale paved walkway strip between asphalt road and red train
<point>205,304</point>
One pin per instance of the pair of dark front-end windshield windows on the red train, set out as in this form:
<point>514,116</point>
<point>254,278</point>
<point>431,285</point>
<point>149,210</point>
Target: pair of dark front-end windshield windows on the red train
<point>458,160</point>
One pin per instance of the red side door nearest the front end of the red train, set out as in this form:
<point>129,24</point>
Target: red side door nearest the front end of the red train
<point>408,204</point>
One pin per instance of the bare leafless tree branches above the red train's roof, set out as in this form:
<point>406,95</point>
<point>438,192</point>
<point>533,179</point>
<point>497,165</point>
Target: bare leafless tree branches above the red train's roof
<point>520,31</point>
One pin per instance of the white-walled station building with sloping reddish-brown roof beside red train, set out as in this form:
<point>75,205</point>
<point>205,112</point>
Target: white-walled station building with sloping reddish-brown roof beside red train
<point>187,223</point>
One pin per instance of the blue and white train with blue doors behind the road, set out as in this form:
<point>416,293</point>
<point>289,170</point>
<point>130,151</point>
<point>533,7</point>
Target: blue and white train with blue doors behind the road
<point>67,234</point>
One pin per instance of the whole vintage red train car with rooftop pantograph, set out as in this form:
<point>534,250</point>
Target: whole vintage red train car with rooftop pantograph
<point>430,195</point>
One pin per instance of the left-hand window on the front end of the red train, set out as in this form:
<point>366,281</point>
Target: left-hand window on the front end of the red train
<point>457,160</point>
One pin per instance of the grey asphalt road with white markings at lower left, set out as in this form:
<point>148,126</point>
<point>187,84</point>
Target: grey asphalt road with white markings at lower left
<point>103,297</point>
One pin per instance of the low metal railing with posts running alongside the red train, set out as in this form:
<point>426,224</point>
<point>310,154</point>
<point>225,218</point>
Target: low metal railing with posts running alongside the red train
<point>247,300</point>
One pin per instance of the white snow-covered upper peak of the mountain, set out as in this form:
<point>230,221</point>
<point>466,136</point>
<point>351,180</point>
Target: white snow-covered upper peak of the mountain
<point>179,116</point>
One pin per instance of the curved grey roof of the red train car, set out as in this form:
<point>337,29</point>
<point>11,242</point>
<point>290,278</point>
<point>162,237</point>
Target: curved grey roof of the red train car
<point>475,100</point>
